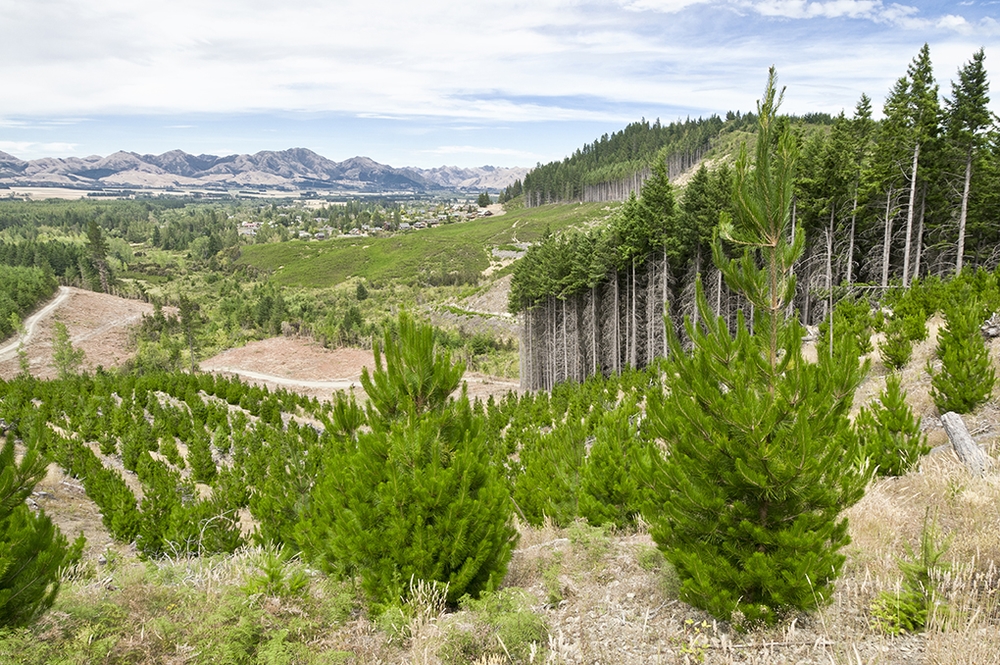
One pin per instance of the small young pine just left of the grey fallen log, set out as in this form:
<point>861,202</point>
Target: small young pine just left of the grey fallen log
<point>890,431</point>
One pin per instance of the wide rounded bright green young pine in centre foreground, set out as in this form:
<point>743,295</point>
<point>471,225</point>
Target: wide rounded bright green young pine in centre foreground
<point>420,496</point>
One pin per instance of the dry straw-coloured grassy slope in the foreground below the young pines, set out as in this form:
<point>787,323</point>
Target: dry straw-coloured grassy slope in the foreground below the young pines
<point>573,593</point>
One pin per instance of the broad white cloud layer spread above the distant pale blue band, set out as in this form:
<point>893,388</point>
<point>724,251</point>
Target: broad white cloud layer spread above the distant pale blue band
<point>485,62</point>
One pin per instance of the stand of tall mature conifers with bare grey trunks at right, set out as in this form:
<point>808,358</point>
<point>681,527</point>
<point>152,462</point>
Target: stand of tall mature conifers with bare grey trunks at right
<point>879,202</point>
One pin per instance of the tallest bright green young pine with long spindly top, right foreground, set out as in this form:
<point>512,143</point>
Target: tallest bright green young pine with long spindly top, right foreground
<point>758,457</point>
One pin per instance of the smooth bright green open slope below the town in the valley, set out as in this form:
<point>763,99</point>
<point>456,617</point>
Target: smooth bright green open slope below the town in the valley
<point>415,256</point>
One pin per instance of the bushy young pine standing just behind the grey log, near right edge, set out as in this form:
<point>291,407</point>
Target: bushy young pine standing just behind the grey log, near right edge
<point>966,377</point>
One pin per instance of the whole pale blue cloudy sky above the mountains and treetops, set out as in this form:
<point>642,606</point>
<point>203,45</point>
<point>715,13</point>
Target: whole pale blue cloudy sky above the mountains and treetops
<point>443,82</point>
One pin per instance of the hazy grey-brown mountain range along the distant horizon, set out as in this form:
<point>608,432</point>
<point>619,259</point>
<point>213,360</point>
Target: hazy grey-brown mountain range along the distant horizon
<point>293,169</point>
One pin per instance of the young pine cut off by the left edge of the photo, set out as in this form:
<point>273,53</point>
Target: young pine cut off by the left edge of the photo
<point>32,549</point>
